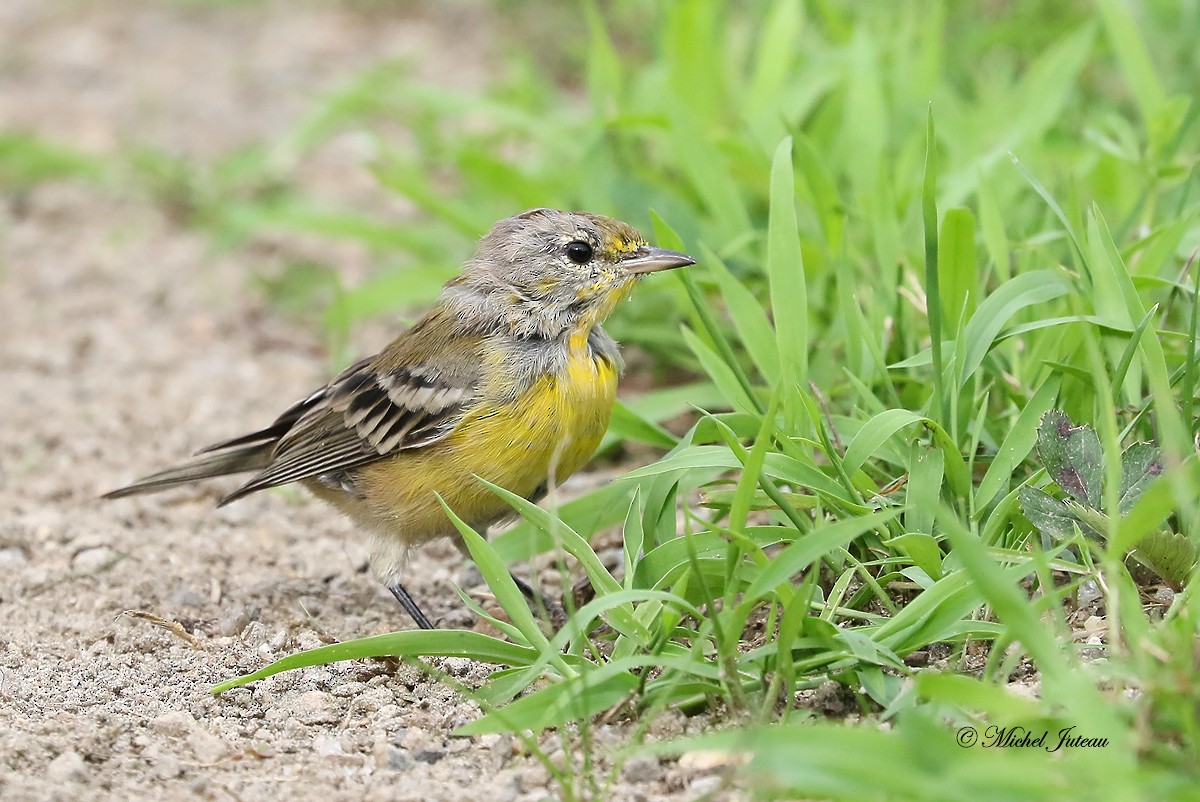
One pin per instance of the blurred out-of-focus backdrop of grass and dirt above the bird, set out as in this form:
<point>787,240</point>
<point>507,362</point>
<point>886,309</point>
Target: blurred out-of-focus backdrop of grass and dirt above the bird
<point>357,149</point>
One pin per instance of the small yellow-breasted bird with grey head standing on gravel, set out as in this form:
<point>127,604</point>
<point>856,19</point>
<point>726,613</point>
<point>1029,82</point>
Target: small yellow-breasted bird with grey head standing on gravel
<point>511,378</point>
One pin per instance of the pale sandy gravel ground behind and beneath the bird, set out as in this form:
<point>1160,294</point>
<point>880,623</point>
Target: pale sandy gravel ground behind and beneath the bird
<point>127,345</point>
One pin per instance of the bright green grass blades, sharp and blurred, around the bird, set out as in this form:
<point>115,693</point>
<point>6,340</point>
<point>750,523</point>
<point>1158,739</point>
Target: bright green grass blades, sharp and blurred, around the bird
<point>921,228</point>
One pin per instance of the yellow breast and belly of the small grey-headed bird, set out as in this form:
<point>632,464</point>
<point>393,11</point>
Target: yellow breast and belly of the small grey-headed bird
<point>539,439</point>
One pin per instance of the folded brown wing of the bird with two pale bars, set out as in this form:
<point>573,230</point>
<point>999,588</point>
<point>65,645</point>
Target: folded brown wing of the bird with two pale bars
<point>410,396</point>
